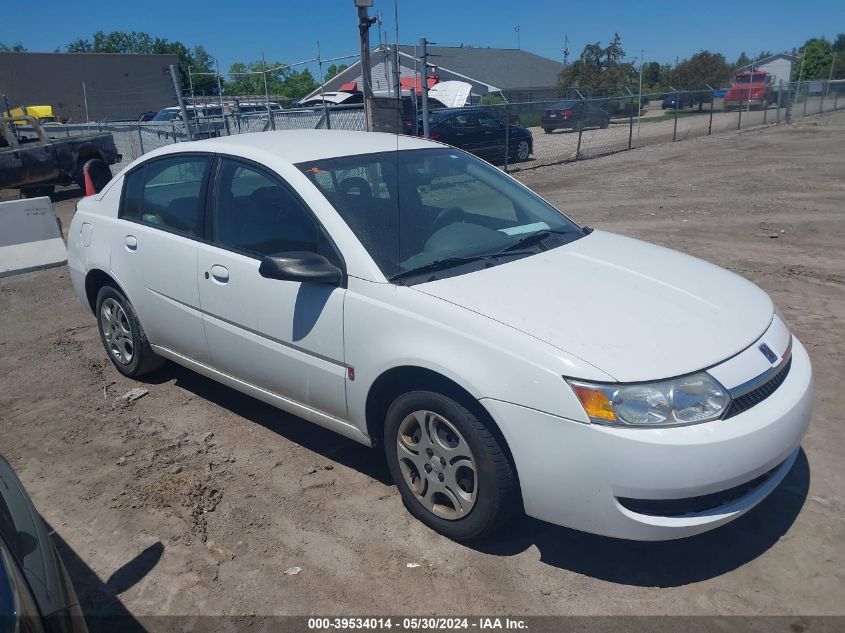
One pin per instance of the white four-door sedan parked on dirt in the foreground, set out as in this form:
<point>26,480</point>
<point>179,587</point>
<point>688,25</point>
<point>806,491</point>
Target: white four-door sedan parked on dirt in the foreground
<point>412,297</point>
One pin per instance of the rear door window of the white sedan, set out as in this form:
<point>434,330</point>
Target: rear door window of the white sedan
<point>166,193</point>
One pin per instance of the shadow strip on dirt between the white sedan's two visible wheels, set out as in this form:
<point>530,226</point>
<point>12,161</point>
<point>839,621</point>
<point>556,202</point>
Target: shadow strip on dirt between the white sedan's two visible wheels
<point>308,435</point>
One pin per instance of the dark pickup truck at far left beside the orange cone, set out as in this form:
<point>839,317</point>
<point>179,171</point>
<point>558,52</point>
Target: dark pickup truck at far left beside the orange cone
<point>36,165</point>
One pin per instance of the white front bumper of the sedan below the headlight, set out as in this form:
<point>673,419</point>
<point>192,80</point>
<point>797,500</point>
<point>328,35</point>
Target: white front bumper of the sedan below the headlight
<point>574,474</point>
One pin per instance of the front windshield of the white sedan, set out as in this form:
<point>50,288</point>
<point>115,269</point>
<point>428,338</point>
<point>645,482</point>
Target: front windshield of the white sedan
<point>413,208</point>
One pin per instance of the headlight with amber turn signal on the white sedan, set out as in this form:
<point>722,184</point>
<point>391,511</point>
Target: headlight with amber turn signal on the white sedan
<point>686,400</point>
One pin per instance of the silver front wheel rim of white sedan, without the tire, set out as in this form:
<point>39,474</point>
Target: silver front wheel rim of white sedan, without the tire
<point>437,464</point>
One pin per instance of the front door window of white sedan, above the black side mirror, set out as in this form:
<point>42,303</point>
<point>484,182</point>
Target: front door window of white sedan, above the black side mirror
<point>255,213</point>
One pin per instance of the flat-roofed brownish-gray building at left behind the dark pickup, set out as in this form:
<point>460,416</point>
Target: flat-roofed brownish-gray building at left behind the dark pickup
<point>115,86</point>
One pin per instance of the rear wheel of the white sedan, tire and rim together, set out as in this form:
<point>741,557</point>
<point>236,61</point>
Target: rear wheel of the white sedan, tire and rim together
<point>122,334</point>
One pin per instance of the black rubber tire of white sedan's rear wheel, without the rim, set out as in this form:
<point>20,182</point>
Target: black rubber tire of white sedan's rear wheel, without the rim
<point>143,360</point>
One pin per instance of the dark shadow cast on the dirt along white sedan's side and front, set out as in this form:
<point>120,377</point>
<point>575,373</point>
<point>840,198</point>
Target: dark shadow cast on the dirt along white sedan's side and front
<point>647,564</point>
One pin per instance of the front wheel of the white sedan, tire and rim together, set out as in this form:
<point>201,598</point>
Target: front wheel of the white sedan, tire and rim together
<point>451,470</point>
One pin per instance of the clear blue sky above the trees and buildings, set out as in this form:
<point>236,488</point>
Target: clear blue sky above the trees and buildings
<point>288,31</point>
